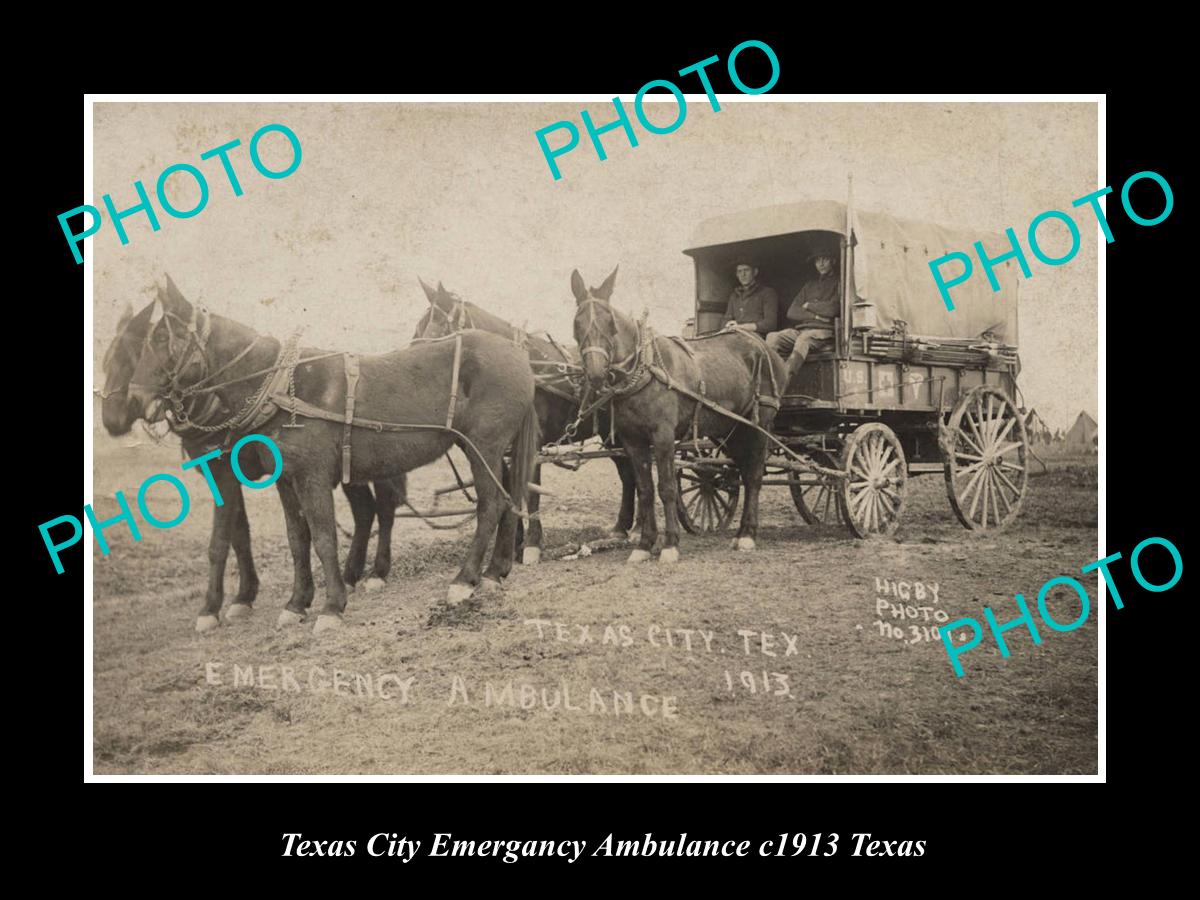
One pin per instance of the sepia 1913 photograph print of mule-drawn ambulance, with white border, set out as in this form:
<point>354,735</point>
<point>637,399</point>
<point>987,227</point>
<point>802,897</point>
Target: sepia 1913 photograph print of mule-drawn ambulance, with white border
<point>541,437</point>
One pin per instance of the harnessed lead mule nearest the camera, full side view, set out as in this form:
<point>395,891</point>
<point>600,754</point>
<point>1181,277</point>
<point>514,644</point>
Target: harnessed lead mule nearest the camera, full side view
<point>404,418</point>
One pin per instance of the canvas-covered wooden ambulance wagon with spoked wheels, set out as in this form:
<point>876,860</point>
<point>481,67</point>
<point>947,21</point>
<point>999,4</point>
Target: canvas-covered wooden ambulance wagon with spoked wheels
<point>925,388</point>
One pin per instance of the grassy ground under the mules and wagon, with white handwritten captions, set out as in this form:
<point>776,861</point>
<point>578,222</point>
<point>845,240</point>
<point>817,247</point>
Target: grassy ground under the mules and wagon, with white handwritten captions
<point>525,681</point>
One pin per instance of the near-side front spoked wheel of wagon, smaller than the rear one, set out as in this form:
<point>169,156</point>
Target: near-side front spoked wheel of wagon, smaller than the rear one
<point>873,496</point>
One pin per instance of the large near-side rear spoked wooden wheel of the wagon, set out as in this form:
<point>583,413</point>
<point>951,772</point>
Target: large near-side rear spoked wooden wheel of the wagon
<point>985,451</point>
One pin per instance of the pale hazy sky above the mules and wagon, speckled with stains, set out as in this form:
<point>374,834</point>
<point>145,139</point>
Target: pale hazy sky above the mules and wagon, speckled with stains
<point>460,193</point>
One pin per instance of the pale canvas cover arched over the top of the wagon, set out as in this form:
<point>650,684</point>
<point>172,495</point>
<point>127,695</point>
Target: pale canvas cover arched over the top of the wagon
<point>892,271</point>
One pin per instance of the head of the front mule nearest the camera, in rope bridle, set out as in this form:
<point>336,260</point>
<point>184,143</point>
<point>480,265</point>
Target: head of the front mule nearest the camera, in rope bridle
<point>172,352</point>
